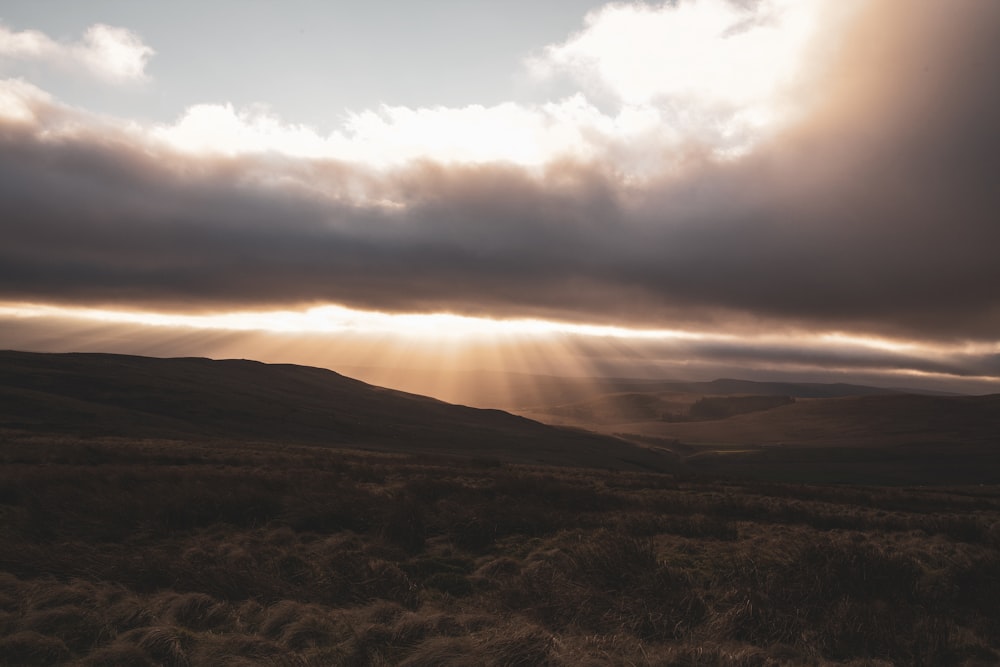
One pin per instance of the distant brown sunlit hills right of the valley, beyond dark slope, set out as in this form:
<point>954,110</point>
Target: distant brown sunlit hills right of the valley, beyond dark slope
<point>879,438</point>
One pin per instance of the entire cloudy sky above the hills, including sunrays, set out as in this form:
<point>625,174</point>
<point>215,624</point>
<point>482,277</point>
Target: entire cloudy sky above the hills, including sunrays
<point>766,189</point>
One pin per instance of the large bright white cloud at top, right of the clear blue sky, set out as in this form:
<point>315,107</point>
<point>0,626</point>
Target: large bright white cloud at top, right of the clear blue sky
<point>716,50</point>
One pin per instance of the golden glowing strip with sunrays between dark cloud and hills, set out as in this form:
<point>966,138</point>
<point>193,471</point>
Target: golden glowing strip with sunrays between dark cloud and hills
<point>445,354</point>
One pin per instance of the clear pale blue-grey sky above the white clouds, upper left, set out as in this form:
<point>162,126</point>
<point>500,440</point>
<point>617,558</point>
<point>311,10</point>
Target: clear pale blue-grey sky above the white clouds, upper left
<point>309,61</point>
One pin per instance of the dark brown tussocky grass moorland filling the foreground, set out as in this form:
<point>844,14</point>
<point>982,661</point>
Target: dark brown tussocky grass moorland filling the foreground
<point>166,552</point>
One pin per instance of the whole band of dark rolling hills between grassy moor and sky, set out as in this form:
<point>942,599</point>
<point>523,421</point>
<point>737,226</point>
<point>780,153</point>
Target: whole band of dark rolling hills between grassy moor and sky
<point>783,431</point>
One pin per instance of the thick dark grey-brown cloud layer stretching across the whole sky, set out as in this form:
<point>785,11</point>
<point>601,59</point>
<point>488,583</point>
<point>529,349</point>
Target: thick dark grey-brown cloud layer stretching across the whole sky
<point>878,213</point>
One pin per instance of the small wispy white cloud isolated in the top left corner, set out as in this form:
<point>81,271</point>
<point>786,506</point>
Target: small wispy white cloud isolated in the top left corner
<point>110,53</point>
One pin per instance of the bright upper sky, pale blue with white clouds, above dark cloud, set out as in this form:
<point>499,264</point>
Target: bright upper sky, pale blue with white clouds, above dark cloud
<point>386,83</point>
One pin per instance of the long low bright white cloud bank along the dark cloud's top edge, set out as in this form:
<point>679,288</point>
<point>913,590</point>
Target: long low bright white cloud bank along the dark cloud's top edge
<point>396,135</point>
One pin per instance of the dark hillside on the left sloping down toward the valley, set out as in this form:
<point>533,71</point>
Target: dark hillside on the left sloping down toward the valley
<point>94,395</point>
